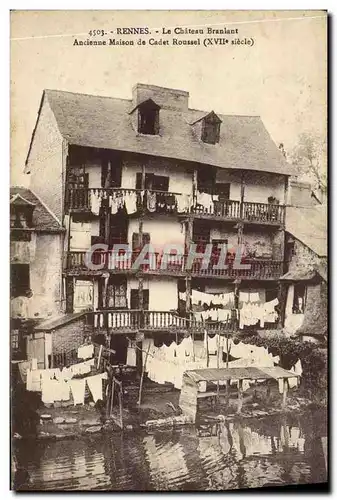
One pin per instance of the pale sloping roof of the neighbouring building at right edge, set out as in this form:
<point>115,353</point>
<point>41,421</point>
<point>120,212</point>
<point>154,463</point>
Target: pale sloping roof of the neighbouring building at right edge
<point>309,225</point>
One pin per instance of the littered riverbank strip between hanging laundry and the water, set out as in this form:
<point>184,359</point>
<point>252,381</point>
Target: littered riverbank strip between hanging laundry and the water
<point>160,409</point>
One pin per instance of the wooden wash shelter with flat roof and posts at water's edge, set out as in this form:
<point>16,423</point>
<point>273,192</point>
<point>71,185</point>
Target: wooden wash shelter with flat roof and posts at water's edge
<point>193,380</point>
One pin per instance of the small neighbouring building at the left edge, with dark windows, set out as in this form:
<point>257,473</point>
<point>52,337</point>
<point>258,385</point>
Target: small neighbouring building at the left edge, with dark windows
<point>36,248</point>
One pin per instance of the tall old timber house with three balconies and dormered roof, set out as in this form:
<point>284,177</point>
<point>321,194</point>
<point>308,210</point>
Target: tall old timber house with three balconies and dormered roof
<point>152,170</point>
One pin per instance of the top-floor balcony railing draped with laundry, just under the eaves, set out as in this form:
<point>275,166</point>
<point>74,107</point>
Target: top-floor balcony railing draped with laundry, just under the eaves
<point>152,201</point>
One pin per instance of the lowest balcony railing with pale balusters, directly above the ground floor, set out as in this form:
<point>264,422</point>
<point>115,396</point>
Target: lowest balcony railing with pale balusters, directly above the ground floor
<point>132,320</point>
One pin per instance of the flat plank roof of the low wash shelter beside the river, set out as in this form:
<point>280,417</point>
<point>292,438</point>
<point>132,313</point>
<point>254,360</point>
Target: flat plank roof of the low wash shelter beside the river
<point>249,373</point>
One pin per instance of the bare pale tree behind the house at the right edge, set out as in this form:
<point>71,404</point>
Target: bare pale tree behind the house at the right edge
<point>310,158</point>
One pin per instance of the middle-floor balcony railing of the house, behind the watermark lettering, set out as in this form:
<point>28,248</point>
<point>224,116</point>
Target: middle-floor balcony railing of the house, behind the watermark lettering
<point>172,264</point>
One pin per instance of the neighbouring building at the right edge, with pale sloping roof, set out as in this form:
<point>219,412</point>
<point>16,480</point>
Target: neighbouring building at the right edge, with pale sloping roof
<point>305,281</point>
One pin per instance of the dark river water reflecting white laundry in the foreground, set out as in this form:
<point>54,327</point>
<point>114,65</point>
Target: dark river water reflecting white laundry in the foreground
<point>241,454</point>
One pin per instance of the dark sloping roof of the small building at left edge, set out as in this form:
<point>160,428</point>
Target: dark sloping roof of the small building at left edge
<point>43,218</point>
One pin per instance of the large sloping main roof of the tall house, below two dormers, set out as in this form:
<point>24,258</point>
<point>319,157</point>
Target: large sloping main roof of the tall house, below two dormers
<point>104,122</point>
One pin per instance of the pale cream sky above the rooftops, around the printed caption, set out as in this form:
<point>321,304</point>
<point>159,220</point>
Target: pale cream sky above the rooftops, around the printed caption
<point>282,77</point>
